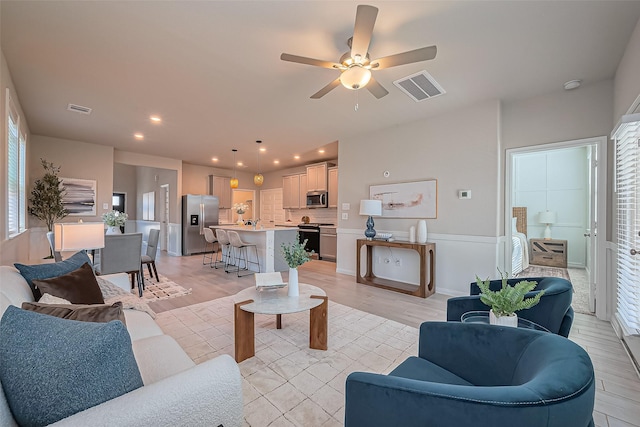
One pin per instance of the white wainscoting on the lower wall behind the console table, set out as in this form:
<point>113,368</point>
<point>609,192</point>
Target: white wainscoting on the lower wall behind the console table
<point>458,259</point>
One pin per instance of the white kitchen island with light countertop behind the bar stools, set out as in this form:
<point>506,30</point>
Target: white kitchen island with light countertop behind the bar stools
<point>268,241</point>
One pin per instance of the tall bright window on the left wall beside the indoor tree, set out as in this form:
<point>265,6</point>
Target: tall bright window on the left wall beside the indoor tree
<point>16,166</point>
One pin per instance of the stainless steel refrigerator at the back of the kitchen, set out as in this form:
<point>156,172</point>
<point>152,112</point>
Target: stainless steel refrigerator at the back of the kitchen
<point>198,212</point>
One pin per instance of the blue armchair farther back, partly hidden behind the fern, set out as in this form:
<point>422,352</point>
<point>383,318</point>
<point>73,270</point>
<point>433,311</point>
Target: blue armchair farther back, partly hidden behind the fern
<point>554,310</point>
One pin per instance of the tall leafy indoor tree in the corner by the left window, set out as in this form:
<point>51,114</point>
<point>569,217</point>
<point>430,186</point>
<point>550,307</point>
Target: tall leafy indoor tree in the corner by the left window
<point>45,201</point>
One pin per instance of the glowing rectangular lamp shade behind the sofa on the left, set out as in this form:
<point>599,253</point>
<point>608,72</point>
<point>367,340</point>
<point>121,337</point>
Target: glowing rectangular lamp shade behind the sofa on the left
<point>77,236</point>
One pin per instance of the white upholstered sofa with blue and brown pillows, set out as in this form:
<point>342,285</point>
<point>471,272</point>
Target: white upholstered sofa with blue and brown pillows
<point>175,391</point>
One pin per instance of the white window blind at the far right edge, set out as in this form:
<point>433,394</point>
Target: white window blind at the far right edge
<point>627,139</point>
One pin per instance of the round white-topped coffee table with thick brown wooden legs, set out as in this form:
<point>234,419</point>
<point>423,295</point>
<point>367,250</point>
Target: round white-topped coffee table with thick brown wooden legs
<point>252,301</point>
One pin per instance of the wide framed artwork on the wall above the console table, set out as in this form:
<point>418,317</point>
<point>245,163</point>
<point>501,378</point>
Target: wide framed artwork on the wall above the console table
<point>417,199</point>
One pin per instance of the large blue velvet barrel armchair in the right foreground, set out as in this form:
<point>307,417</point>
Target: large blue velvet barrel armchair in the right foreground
<point>478,375</point>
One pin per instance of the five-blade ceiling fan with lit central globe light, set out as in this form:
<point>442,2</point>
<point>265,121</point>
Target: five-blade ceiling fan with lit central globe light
<point>355,66</point>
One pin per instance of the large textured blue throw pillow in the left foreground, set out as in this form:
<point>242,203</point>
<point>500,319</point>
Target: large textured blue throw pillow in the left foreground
<point>52,368</point>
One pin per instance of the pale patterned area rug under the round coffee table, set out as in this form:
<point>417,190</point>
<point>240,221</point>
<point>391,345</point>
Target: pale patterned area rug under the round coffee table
<point>287,383</point>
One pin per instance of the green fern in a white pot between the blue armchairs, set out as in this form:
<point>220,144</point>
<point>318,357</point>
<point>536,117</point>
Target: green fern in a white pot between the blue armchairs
<point>505,302</point>
